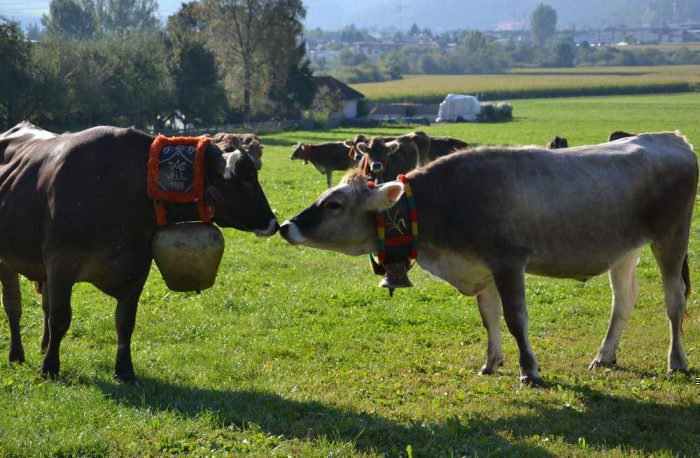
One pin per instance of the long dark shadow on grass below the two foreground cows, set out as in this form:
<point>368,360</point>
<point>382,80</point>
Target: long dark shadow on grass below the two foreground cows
<point>606,422</point>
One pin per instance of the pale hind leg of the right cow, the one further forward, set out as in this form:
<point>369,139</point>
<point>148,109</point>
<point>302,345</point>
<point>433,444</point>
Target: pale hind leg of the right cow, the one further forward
<point>623,281</point>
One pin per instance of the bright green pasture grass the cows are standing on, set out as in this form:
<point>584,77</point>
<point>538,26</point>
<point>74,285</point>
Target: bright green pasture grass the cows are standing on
<point>297,352</point>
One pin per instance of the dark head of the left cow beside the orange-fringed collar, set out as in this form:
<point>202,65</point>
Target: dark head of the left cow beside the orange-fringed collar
<point>233,187</point>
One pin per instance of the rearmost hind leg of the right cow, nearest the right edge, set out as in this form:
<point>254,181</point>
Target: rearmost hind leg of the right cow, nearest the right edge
<point>674,274</point>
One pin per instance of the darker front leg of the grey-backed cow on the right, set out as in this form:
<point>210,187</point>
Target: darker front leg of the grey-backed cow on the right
<point>510,281</point>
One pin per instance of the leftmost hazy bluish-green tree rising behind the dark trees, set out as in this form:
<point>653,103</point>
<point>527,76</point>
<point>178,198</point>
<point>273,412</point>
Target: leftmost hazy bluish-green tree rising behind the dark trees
<point>71,19</point>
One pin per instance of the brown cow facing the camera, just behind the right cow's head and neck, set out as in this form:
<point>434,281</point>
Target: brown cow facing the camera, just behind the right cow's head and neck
<point>384,158</point>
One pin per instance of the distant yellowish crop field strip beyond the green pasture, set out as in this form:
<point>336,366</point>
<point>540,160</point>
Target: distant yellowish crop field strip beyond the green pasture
<point>527,83</point>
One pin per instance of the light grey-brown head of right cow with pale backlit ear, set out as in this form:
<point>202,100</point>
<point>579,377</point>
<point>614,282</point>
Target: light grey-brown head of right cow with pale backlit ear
<point>342,218</point>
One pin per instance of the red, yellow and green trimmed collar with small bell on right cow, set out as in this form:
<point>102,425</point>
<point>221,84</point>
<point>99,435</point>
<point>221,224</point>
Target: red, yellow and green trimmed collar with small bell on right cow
<point>397,240</point>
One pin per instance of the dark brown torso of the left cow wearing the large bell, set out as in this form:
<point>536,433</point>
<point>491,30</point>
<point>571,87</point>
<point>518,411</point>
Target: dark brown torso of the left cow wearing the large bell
<point>71,193</point>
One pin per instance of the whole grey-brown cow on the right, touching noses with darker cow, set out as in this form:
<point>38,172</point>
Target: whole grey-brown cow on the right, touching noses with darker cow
<point>488,216</point>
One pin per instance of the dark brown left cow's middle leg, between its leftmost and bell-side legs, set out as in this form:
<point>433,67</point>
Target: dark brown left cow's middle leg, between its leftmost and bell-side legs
<point>58,287</point>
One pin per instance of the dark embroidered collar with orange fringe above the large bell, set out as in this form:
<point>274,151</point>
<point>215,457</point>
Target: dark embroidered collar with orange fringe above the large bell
<point>176,179</point>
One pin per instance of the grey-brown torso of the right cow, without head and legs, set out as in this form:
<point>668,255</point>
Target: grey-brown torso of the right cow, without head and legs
<point>571,212</point>
